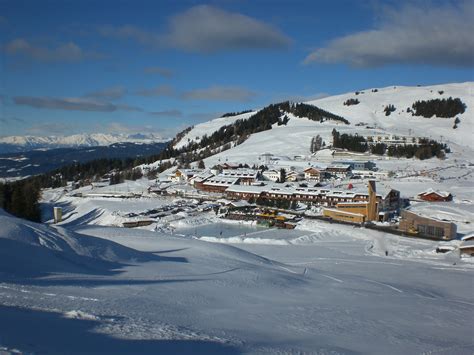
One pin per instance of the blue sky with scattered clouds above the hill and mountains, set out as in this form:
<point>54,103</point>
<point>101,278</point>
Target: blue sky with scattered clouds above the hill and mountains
<point>69,67</point>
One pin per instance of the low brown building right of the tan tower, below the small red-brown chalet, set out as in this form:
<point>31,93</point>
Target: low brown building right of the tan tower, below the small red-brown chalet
<point>415,224</point>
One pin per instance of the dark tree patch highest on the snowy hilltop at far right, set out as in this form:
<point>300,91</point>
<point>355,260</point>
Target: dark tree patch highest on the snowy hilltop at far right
<point>445,108</point>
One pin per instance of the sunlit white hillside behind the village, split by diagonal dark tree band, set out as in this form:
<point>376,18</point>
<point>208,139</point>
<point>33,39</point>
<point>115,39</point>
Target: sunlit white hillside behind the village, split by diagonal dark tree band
<point>366,118</point>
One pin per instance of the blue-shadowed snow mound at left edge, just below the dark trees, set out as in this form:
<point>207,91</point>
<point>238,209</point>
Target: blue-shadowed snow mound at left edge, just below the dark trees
<point>32,249</point>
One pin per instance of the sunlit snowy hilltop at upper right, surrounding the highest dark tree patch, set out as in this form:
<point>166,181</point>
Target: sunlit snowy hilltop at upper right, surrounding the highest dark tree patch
<point>372,103</point>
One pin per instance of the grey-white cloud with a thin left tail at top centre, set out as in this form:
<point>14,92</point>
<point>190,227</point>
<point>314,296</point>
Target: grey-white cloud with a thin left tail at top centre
<point>206,29</point>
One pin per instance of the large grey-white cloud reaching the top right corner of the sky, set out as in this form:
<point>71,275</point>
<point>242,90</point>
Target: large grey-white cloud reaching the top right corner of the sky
<point>408,35</point>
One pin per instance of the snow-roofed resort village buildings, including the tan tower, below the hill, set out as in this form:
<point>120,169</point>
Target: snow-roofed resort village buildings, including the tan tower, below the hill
<point>342,205</point>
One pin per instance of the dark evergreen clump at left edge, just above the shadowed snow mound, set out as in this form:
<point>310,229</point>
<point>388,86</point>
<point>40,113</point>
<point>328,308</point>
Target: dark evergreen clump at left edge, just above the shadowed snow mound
<point>20,198</point>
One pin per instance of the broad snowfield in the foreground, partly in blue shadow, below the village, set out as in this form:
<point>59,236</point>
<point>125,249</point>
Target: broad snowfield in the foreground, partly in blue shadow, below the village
<point>324,289</point>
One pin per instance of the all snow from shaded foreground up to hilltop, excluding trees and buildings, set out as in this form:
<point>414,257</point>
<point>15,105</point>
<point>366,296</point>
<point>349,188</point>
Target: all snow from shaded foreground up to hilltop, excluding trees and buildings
<point>191,282</point>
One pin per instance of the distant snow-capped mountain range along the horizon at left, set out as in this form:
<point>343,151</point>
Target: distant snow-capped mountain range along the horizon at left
<point>17,143</point>
